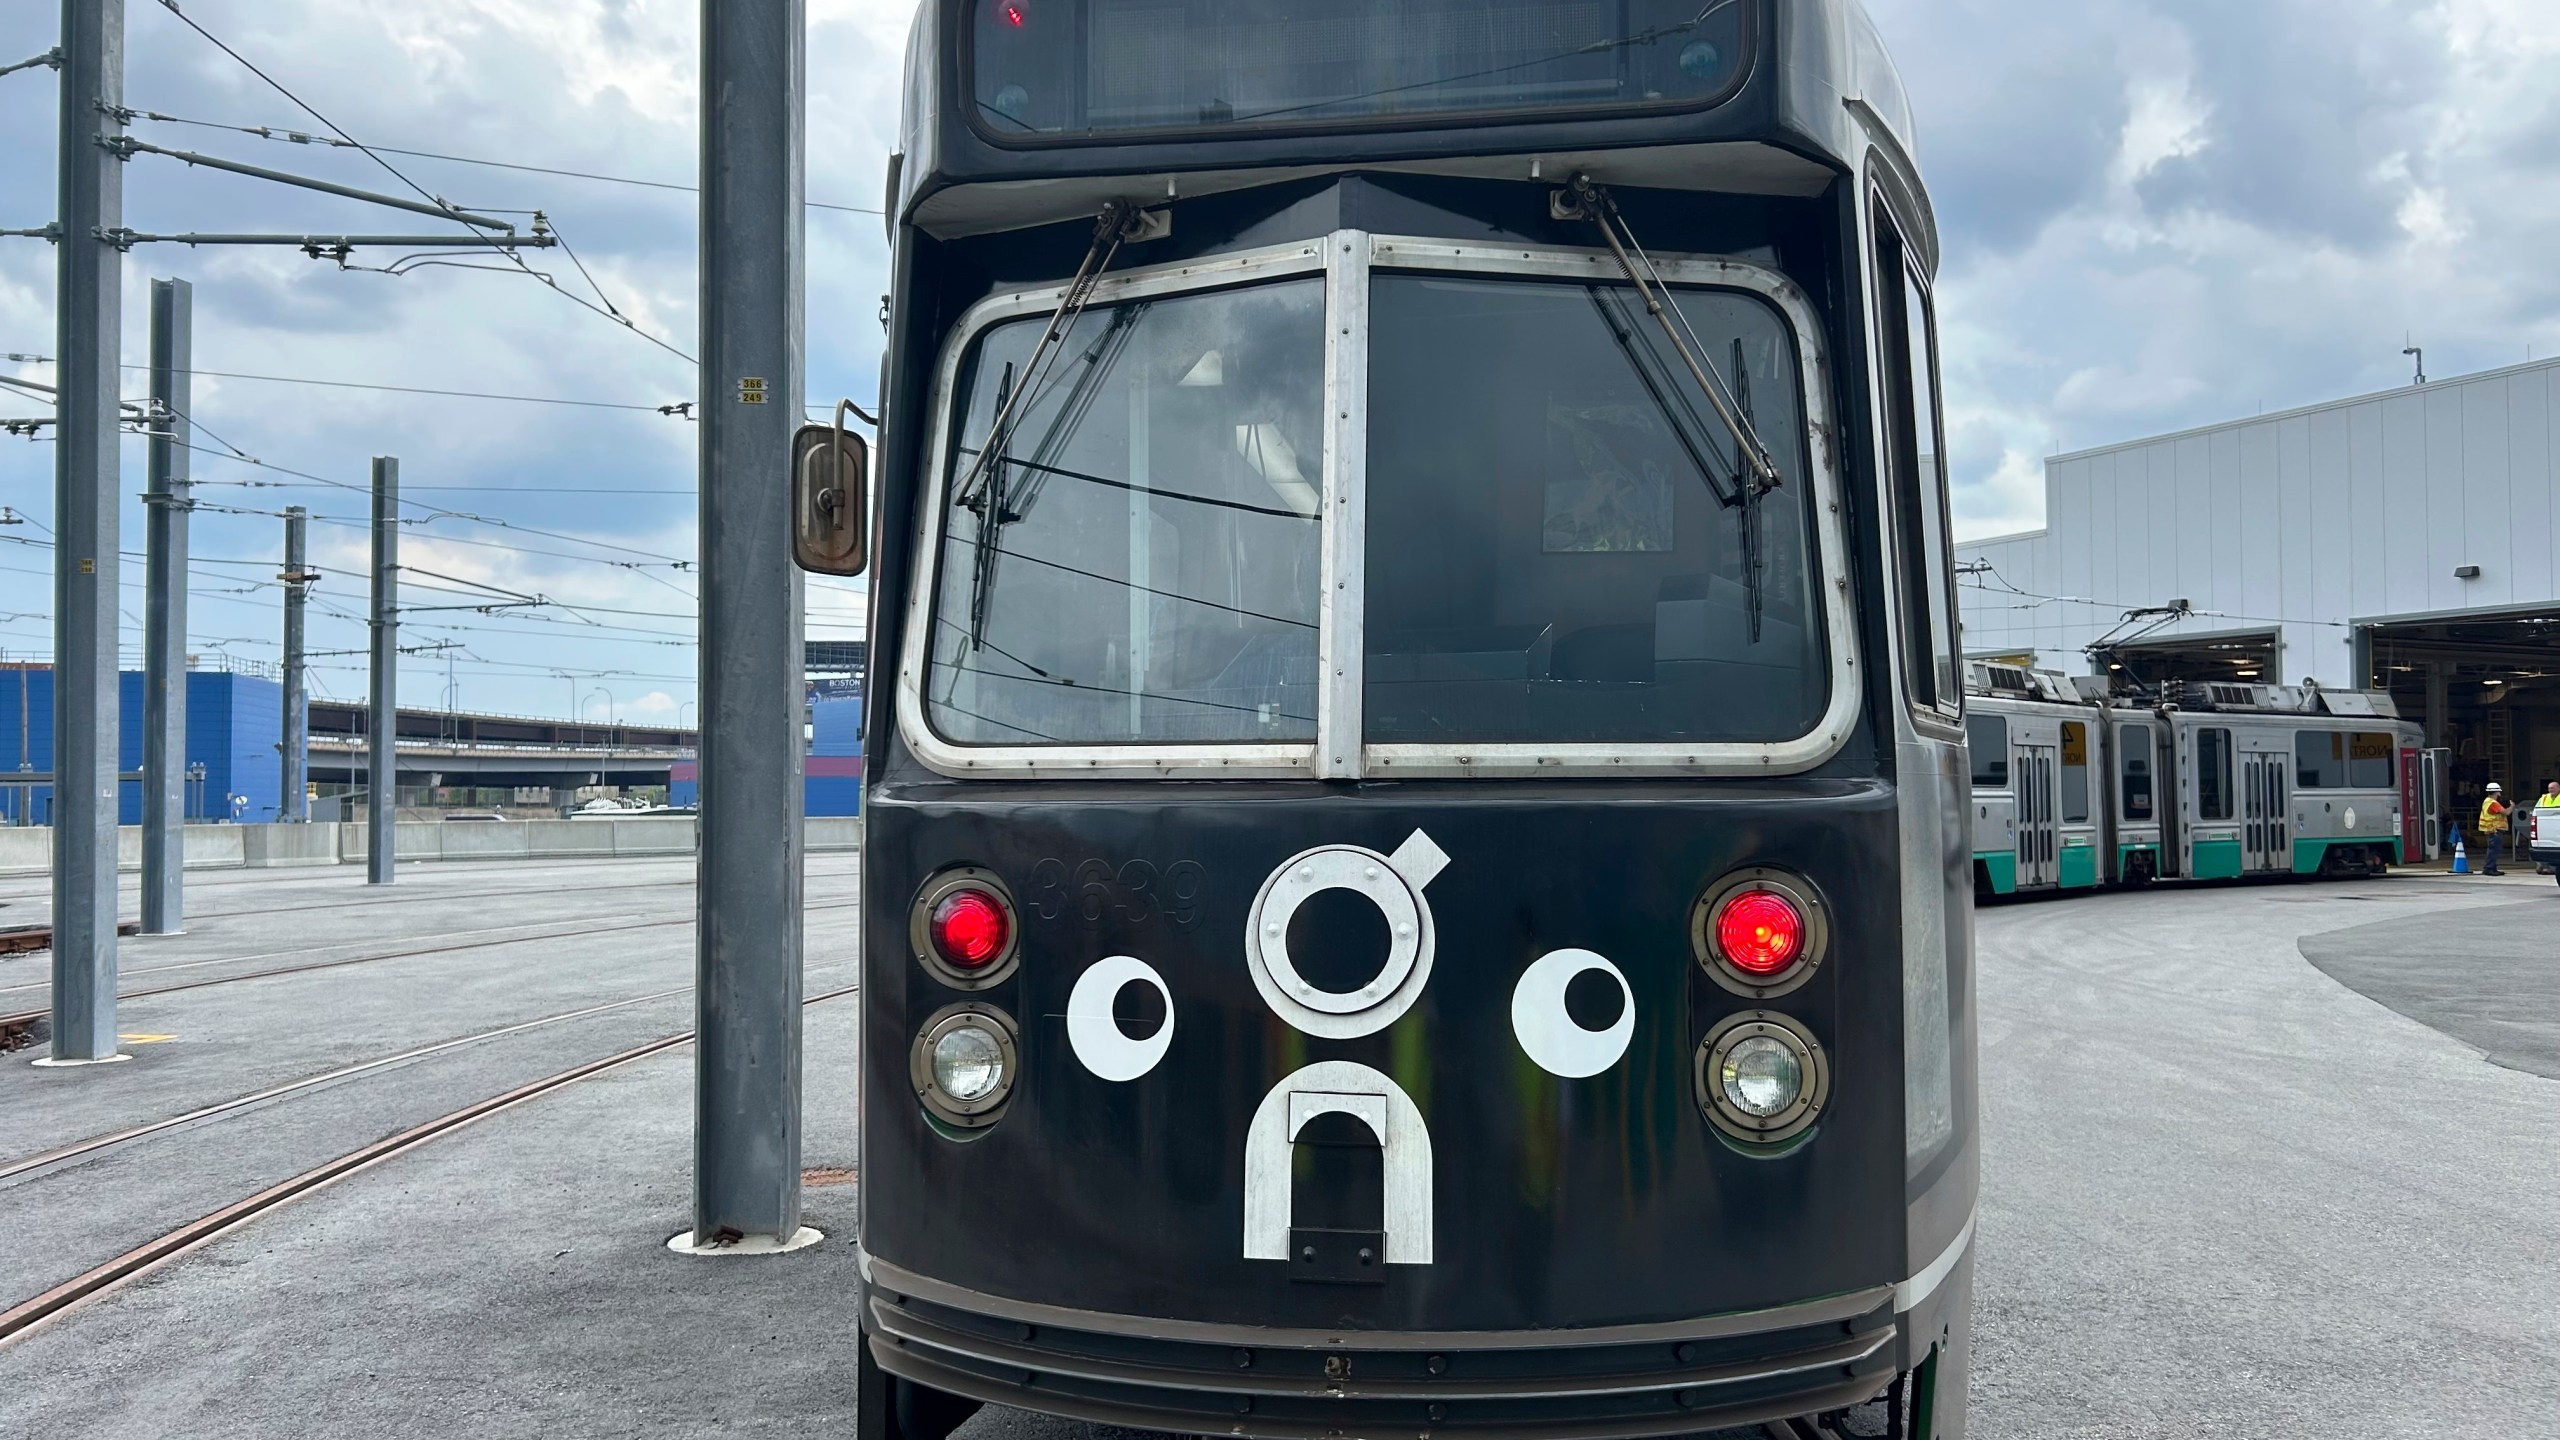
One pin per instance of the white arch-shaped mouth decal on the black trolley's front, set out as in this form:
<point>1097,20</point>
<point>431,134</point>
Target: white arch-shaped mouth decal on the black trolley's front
<point>1338,1088</point>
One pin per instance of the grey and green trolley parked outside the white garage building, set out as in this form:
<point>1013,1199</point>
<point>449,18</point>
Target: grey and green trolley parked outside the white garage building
<point>2080,788</point>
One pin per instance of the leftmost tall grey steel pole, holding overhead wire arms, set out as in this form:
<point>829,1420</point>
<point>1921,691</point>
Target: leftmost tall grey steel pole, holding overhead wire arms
<point>88,345</point>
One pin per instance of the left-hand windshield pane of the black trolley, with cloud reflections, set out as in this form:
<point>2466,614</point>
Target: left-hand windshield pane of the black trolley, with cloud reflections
<point>1143,560</point>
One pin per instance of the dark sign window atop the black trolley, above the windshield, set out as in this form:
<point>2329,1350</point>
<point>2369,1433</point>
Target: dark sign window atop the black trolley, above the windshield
<point>1084,68</point>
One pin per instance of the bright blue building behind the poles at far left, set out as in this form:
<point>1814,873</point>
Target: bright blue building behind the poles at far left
<point>234,729</point>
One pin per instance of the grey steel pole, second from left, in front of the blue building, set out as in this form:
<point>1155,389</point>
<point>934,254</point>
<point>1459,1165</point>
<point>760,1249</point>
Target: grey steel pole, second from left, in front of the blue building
<point>165,611</point>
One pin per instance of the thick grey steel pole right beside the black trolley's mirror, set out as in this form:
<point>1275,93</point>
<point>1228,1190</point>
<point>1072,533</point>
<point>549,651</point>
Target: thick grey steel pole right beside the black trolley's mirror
<point>749,872</point>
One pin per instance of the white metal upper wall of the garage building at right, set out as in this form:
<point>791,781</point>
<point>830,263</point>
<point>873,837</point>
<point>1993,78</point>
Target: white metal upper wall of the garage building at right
<point>2316,519</point>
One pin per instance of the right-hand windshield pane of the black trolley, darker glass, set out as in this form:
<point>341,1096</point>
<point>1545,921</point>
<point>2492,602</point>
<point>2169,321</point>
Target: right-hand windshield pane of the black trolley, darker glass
<point>1563,539</point>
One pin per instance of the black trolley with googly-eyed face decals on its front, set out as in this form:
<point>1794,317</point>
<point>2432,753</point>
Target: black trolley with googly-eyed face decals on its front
<point>1414,847</point>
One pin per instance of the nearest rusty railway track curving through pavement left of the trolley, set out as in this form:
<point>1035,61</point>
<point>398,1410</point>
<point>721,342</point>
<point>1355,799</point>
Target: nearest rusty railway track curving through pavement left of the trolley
<point>152,1254</point>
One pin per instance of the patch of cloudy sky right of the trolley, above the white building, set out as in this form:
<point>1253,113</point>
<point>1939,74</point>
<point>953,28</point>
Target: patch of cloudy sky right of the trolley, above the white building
<point>2290,188</point>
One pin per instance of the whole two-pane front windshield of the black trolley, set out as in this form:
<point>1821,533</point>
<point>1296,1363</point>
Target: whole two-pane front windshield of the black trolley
<point>1563,547</point>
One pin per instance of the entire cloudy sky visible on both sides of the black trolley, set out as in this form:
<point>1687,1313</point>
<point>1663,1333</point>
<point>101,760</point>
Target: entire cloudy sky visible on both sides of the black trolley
<point>2157,214</point>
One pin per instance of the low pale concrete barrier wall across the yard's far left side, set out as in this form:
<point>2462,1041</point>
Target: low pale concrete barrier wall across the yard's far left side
<point>29,849</point>
